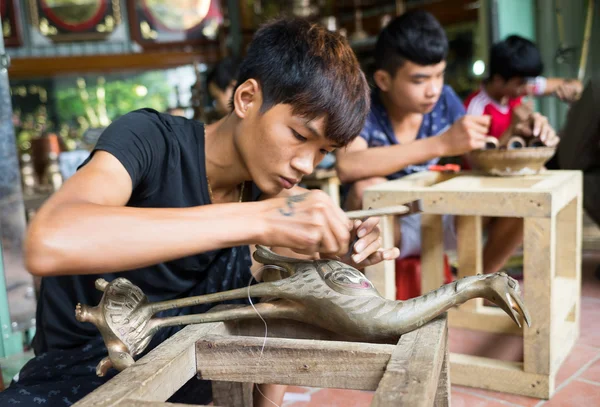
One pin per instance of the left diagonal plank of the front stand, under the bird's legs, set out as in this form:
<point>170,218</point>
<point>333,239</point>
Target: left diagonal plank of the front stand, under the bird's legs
<point>159,374</point>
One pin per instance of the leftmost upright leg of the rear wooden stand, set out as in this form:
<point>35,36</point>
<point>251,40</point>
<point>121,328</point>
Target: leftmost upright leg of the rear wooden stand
<point>432,252</point>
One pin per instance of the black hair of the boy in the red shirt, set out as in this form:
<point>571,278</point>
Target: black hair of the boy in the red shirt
<point>515,57</point>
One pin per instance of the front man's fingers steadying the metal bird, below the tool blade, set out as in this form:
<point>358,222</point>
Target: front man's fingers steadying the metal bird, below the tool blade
<point>367,250</point>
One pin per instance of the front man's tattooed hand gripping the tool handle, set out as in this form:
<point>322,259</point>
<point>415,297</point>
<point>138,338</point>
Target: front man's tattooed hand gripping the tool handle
<point>307,223</point>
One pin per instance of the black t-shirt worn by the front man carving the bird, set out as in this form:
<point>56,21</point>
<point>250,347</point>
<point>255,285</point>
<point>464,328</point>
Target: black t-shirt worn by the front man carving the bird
<point>164,155</point>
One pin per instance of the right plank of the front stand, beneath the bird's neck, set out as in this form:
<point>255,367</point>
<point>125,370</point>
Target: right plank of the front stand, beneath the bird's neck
<point>412,375</point>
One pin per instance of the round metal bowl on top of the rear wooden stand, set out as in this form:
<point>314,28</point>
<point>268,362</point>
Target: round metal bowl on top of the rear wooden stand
<point>514,162</point>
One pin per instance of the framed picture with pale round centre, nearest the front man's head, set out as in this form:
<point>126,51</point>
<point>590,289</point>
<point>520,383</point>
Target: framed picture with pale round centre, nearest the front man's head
<point>157,23</point>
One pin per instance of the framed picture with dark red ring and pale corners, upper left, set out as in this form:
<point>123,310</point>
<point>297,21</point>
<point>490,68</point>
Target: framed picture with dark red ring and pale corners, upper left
<point>75,20</point>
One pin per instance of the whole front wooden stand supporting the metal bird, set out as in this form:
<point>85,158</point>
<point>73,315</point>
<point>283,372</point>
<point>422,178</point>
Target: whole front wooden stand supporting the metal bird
<point>414,372</point>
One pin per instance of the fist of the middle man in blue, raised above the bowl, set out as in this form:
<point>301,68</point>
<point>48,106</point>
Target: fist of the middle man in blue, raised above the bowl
<point>466,134</point>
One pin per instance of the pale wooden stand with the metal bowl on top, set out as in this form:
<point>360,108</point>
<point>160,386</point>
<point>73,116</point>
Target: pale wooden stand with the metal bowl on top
<point>551,205</point>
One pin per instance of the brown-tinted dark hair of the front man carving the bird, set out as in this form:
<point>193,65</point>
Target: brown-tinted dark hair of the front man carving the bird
<point>312,69</point>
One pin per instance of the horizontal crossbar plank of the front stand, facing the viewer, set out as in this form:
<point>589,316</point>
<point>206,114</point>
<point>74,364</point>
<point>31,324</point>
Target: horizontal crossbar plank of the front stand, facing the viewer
<point>344,365</point>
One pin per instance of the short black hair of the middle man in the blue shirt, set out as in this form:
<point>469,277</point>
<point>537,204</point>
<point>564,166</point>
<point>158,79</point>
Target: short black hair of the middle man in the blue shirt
<point>415,36</point>
